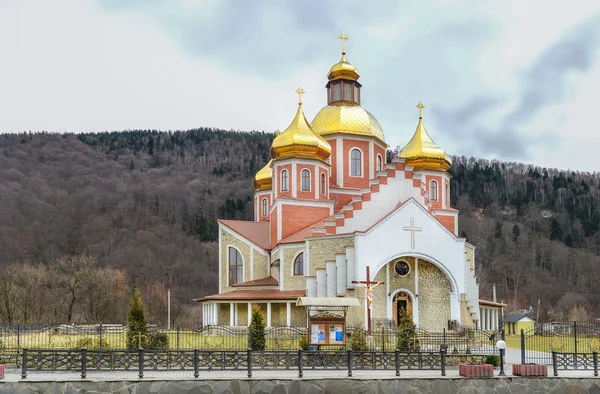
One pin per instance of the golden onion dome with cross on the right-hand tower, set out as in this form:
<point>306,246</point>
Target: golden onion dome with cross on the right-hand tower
<point>422,153</point>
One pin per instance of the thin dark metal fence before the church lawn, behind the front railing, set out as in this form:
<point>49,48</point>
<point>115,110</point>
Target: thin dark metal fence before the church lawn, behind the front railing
<point>114,337</point>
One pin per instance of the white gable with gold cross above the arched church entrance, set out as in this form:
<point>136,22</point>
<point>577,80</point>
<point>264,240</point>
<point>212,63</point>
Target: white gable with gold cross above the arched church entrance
<point>389,240</point>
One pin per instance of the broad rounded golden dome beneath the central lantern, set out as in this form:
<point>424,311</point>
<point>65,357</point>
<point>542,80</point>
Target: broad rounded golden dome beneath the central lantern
<point>349,118</point>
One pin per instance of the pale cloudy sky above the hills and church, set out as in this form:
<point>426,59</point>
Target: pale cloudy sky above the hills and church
<point>512,80</point>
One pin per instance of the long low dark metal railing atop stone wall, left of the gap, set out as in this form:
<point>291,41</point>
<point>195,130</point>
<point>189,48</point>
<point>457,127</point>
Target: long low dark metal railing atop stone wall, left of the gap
<point>141,360</point>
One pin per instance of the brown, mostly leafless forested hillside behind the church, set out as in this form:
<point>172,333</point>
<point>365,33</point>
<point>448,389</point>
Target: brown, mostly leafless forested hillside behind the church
<point>84,218</point>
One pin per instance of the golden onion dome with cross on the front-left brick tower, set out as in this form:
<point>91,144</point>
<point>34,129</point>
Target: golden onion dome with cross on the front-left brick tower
<point>299,140</point>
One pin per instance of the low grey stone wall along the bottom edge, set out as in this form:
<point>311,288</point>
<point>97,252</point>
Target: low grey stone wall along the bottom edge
<point>308,385</point>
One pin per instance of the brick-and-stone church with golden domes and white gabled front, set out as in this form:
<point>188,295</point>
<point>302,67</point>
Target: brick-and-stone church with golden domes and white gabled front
<point>330,210</point>
